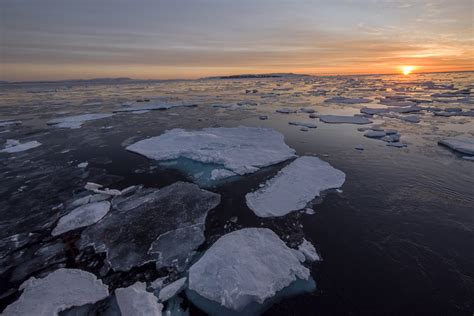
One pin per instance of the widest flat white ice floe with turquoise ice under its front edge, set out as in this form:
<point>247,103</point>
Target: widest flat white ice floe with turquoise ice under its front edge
<point>239,149</point>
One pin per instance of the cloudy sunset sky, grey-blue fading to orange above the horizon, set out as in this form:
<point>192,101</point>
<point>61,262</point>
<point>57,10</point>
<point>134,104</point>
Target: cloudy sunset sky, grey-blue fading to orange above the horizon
<point>167,39</point>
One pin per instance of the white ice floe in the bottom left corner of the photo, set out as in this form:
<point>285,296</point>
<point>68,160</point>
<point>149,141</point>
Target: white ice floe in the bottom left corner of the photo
<point>58,291</point>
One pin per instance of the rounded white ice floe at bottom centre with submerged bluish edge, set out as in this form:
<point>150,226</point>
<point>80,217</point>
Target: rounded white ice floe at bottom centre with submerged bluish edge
<point>245,269</point>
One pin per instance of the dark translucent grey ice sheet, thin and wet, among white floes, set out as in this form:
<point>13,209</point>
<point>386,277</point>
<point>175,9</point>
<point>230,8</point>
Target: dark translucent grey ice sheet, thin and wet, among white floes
<point>164,226</point>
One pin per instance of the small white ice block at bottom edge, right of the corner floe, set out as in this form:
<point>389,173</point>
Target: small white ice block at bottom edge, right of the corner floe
<point>135,300</point>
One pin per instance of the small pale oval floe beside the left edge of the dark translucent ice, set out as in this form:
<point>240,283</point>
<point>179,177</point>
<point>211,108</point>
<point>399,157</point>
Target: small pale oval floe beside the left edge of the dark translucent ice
<point>82,216</point>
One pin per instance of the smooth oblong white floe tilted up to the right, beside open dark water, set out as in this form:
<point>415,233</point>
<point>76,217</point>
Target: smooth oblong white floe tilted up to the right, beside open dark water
<point>294,187</point>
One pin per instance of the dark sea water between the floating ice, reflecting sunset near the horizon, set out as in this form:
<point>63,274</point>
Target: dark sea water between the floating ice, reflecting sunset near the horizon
<point>398,239</point>
